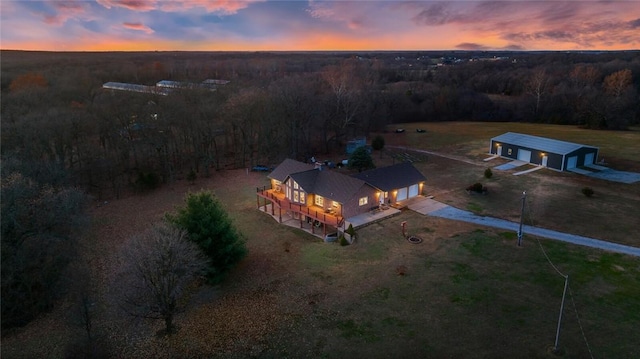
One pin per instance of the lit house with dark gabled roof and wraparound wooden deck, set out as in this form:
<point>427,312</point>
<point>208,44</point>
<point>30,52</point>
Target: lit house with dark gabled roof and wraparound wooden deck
<point>326,197</point>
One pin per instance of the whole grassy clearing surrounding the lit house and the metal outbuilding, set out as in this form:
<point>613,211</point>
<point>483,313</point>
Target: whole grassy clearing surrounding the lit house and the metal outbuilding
<point>465,292</point>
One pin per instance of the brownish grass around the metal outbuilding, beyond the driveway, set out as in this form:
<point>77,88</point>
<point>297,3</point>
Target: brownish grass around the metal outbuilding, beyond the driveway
<point>554,199</point>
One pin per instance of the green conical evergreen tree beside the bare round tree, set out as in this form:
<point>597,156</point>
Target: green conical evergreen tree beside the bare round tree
<point>209,226</point>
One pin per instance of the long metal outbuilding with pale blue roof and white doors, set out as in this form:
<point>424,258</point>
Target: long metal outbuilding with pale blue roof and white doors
<point>554,154</point>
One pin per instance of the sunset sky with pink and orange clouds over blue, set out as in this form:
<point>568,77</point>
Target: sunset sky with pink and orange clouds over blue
<point>263,25</point>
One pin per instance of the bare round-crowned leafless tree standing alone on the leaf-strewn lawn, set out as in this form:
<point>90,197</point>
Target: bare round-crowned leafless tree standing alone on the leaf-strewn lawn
<point>158,266</point>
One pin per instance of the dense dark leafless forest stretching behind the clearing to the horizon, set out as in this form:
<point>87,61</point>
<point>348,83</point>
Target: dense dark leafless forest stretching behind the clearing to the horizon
<point>64,137</point>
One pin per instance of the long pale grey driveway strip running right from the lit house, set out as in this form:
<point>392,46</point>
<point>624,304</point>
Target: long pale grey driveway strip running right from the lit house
<point>460,215</point>
